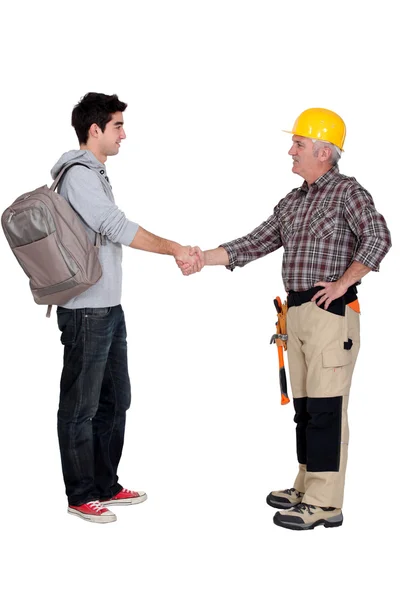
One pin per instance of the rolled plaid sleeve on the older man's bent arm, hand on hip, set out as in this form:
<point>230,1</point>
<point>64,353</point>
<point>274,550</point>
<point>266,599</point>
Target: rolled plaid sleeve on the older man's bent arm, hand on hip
<point>369,226</point>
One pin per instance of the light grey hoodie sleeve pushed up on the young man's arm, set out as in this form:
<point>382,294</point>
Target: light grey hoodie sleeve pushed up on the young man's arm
<point>87,196</point>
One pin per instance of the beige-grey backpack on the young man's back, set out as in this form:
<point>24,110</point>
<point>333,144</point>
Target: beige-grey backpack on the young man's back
<point>51,245</point>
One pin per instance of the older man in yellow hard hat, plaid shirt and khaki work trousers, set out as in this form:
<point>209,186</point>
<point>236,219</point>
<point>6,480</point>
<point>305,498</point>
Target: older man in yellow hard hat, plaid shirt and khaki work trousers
<point>332,236</point>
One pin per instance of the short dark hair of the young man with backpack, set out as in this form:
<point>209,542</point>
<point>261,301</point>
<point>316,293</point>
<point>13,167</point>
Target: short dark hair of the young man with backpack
<point>94,108</point>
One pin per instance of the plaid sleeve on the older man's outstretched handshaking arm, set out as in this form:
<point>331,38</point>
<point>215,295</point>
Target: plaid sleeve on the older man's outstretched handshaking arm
<point>261,241</point>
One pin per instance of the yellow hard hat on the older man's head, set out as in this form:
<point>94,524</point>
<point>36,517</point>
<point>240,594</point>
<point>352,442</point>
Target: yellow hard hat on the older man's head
<point>320,124</point>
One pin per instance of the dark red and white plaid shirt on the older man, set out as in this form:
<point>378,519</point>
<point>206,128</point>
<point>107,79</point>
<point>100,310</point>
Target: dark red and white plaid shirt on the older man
<point>323,228</point>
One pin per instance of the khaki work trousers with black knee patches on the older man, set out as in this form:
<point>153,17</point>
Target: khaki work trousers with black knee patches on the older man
<point>322,351</point>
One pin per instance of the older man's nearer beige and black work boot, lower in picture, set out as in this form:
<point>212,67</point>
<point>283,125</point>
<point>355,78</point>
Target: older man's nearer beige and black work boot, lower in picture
<point>307,516</point>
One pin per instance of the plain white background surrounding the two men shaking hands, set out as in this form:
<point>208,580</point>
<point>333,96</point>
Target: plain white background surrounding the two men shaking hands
<point>210,85</point>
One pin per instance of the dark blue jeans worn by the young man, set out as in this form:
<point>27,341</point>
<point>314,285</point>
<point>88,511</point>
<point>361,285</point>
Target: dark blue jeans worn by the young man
<point>94,397</point>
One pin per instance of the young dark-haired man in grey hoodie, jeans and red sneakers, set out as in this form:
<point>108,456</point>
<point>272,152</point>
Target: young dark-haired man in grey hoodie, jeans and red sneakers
<point>95,388</point>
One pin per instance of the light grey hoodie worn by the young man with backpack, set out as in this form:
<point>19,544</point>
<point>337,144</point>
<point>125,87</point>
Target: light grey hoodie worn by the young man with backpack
<point>88,190</point>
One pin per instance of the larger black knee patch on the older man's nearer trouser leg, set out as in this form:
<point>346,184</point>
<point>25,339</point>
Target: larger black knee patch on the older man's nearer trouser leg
<point>324,431</point>
